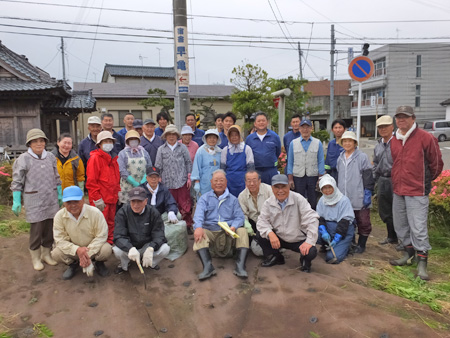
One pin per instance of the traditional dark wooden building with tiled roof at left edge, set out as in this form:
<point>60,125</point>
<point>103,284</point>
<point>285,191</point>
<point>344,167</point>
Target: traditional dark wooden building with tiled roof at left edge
<point>31,98</point>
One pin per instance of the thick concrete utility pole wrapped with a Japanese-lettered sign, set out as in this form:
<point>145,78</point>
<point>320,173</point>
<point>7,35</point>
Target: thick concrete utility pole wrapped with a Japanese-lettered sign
<point>181,65</point>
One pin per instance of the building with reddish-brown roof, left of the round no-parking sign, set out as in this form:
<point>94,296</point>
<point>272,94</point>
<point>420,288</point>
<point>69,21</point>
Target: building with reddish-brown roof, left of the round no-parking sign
<point>320,96</point>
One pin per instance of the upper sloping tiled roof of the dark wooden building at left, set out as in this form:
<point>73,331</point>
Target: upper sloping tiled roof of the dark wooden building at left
<point>20,64</point>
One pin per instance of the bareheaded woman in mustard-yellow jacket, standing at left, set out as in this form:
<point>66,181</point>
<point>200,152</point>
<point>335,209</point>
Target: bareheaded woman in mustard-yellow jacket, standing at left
<point>70,166</point>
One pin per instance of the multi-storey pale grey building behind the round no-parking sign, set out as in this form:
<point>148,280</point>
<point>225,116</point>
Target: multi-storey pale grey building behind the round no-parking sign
<point>413,74</point>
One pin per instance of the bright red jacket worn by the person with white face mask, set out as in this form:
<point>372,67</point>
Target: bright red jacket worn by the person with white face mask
<point>103,177</point>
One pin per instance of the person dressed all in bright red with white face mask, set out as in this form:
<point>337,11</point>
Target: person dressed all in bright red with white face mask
<point>103,179</point>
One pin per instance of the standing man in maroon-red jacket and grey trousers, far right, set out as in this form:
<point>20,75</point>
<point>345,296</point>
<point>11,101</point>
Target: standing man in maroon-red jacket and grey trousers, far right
<point>417,161</point>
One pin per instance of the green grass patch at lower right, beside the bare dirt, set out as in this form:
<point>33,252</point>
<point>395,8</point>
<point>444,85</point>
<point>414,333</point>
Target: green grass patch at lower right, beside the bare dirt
<point>400,281</point>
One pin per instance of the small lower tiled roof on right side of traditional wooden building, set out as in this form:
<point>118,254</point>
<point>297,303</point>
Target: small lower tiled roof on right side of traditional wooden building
<point>77,101</point>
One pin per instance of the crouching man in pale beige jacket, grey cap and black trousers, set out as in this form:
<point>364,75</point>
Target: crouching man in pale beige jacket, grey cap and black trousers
<point>287,221</point>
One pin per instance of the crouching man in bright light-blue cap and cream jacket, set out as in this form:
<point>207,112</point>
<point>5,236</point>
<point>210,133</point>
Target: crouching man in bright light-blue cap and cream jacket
<point>80,233</point>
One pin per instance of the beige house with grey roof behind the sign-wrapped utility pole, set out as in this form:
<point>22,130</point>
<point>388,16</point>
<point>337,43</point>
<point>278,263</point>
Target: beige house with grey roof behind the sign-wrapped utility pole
<point>123,86</point>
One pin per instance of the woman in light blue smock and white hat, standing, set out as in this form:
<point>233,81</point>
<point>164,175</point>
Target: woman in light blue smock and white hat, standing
<point>206,161</point>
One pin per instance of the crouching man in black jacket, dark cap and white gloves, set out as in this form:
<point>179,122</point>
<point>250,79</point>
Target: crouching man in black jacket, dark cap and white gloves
<point>139,232</point>
